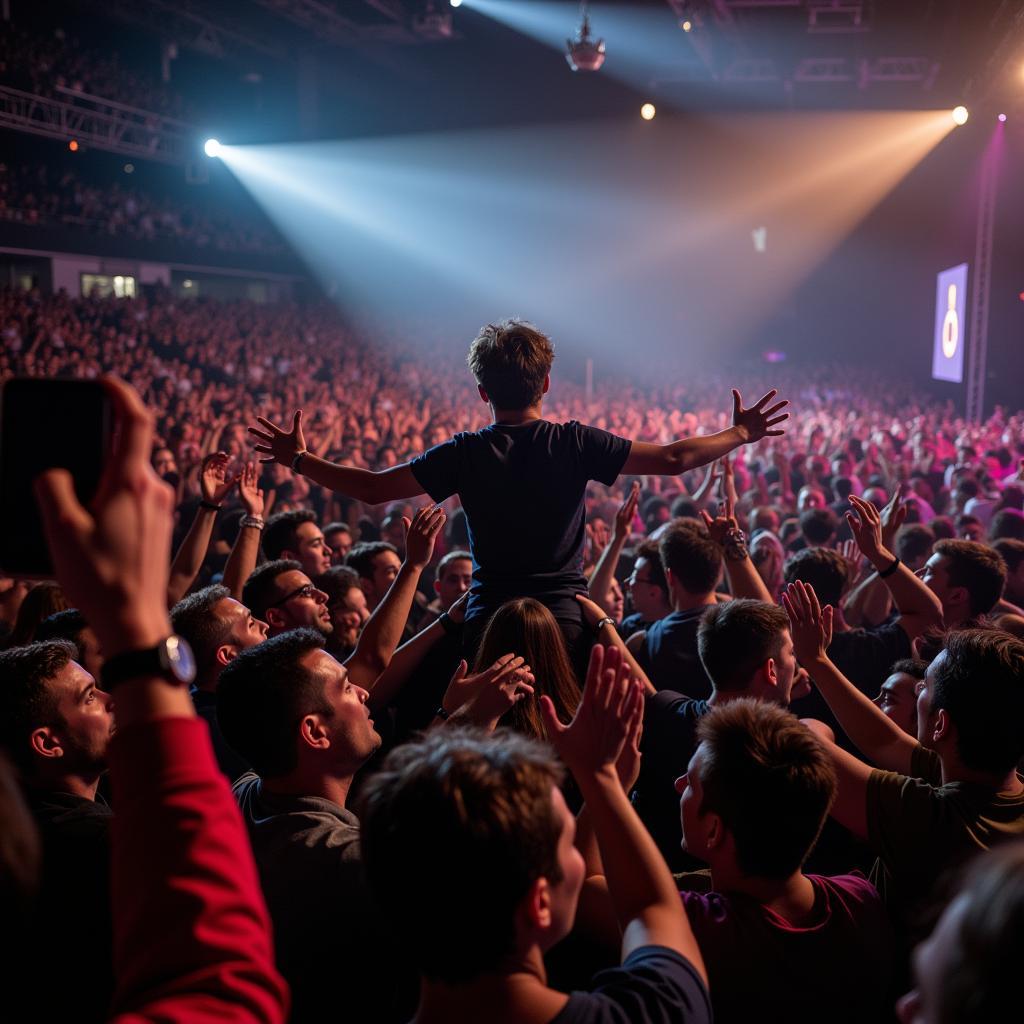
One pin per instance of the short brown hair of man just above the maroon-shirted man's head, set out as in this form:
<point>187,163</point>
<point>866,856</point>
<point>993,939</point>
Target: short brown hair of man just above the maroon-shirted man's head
<point>736,637</point>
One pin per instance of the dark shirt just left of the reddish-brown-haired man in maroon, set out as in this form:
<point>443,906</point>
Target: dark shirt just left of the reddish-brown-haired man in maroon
<point>670,729</point>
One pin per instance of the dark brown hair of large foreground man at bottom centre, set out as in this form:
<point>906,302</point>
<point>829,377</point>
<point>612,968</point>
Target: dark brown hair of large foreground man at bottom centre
<point>485,800</point>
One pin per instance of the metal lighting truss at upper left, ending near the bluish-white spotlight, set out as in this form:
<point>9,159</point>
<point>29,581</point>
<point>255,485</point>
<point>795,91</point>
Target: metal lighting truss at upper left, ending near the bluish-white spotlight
<point>100,123</point>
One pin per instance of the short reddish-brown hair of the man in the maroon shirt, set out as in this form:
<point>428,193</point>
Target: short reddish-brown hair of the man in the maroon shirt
<point>770,780</point>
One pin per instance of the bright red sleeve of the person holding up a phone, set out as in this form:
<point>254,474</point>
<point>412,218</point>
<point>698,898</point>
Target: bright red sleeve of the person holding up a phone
<point>192,935</point>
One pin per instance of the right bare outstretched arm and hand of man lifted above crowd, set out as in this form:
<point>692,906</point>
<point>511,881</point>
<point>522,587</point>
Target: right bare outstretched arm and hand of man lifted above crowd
<point>749,425</point>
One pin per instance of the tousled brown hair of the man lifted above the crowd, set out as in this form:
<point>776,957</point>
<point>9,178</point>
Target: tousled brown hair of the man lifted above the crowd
<point>510,361</point>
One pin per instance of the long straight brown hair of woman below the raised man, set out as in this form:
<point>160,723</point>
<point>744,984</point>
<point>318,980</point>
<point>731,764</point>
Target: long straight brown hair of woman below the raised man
<point>527,628</point>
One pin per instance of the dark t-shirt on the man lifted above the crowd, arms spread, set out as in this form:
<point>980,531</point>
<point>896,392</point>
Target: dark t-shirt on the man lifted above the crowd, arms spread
<point>523,488</point>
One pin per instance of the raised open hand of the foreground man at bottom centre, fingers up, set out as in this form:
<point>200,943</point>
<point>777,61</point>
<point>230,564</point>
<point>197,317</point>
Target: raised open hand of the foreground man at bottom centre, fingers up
<point>594,740</point>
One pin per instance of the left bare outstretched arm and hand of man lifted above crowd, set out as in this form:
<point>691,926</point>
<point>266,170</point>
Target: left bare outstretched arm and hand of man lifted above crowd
<point>289,448</point>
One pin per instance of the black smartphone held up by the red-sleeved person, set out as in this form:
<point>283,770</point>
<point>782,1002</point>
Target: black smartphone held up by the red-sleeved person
<point>46,424</point>
